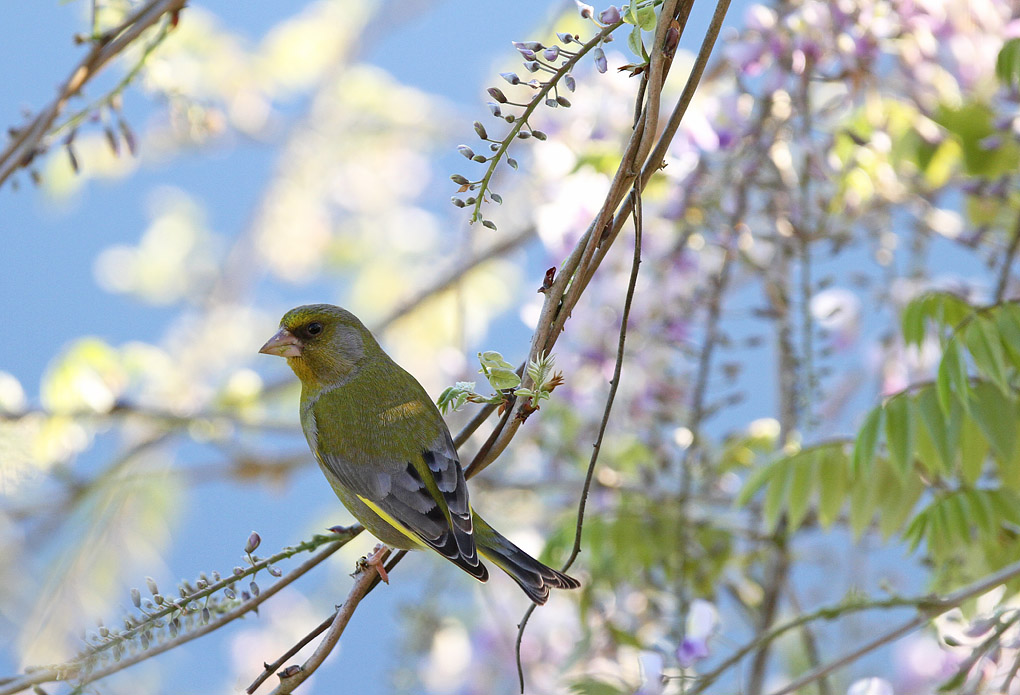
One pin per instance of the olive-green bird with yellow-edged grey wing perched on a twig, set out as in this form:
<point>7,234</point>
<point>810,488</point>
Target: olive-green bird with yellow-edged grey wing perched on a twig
<point>387,452</point>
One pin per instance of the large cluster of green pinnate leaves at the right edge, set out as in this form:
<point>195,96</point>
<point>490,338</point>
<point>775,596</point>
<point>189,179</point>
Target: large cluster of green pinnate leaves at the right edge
<point>949,446</point>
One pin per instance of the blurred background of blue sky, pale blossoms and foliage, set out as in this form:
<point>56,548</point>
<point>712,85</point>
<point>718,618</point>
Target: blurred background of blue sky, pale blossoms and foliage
<point>840,160</point>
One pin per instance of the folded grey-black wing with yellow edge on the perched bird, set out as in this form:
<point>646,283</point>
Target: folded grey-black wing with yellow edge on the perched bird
<point>426,498</point>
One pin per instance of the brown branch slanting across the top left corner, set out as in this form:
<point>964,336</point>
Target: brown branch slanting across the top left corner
<point>28,141</point>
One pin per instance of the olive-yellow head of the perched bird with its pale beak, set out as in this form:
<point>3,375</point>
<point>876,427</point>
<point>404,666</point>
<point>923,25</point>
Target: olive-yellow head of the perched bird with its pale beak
<point>323,343</point>
